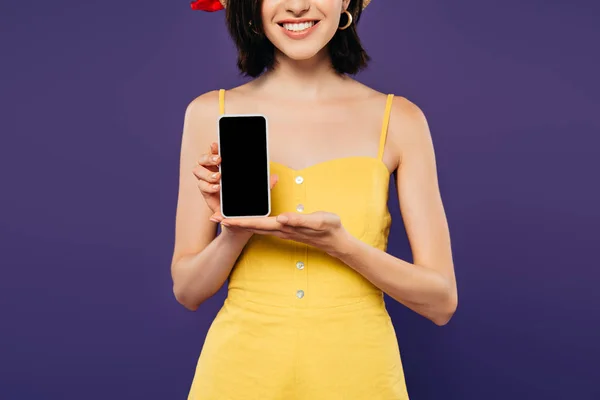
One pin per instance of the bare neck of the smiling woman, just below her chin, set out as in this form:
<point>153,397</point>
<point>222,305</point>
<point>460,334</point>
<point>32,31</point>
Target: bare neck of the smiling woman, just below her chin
<point>302,79</point>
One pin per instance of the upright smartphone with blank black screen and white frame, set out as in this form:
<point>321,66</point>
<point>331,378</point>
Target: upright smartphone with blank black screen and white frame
<point>245,174</point>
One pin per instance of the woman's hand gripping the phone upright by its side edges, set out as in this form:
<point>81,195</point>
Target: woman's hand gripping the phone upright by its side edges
<point>209,180</point>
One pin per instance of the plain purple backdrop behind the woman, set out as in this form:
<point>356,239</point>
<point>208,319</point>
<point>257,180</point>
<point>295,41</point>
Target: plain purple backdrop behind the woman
<point>92,102</point>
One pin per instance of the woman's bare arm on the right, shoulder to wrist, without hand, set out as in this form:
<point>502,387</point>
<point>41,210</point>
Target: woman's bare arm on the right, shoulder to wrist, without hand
<point>428,286</point>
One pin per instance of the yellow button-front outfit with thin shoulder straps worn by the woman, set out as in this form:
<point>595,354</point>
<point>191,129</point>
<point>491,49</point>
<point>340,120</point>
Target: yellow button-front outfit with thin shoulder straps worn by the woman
<point>298,324</point>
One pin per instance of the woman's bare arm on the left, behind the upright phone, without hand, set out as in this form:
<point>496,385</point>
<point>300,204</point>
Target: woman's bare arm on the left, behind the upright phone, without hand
<point>202,260</point>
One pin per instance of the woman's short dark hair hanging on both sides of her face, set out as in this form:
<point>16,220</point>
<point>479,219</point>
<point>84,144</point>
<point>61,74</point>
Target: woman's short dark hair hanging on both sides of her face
<point>256,53</point>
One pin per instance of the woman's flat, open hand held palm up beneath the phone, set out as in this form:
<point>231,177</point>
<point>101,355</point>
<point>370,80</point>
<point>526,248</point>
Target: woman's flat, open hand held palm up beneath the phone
<point>320,229</point>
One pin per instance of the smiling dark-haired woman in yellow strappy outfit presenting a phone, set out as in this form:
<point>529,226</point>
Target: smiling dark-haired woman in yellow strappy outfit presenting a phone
<point>305,317</point>
